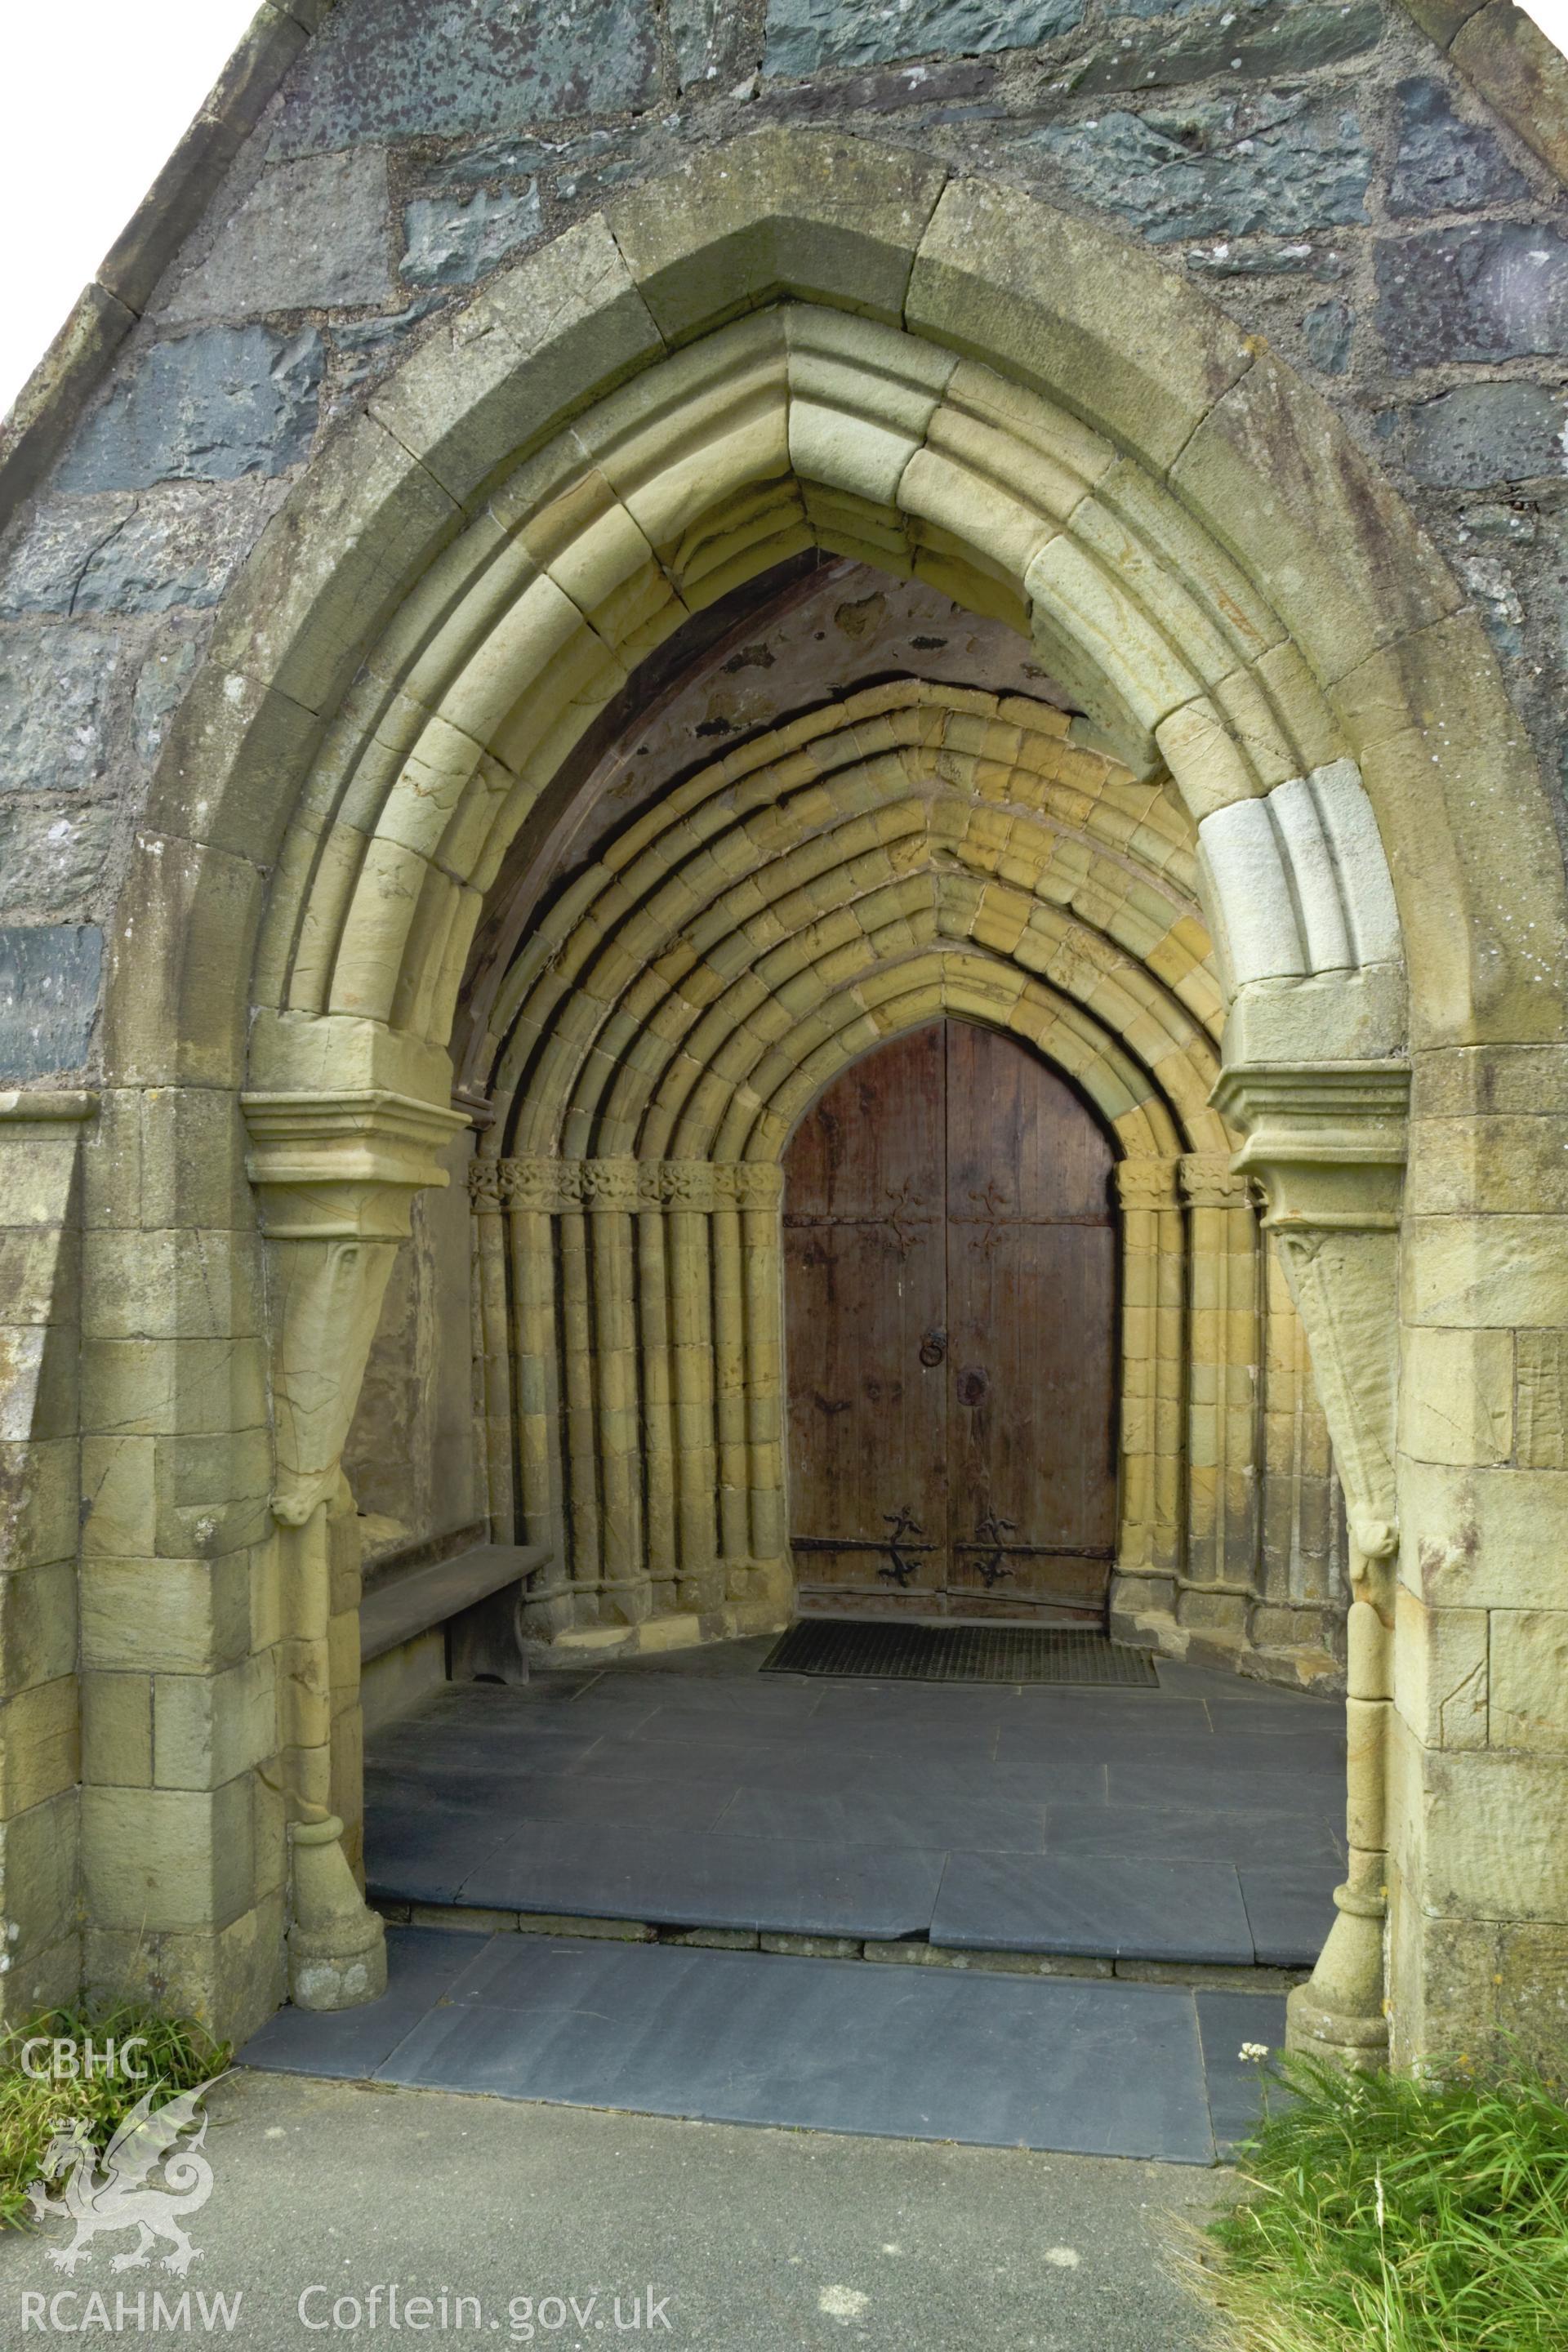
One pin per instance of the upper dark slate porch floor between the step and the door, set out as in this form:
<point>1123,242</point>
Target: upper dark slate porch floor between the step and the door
<point>1200,1822</point>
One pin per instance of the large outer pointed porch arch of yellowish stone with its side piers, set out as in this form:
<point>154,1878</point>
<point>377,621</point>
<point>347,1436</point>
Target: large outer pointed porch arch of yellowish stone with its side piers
<point>796,340</point>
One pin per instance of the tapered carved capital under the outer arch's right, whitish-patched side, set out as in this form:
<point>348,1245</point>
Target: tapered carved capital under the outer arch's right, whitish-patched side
<point>1327,1142</point>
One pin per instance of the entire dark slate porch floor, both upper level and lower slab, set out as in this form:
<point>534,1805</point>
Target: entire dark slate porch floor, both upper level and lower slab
<point>1099,1831</point>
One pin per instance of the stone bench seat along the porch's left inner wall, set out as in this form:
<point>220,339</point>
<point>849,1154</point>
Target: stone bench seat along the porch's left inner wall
<point>445,1622</point>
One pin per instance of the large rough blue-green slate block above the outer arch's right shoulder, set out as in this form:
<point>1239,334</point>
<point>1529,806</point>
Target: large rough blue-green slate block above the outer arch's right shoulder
<point>1221,166</point>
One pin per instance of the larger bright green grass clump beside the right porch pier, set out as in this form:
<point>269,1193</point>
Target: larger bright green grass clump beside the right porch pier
<point>1386,2214</point>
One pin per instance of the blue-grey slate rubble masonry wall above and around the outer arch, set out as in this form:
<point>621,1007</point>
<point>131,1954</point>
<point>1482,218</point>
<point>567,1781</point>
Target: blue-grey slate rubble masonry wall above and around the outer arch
<point>1315,163</point>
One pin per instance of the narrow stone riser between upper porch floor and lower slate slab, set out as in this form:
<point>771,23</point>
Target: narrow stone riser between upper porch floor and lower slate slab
<point>909,1951</point>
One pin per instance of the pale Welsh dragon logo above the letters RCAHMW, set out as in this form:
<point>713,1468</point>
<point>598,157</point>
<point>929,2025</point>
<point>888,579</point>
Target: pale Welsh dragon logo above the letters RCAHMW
<point>123,2191</point>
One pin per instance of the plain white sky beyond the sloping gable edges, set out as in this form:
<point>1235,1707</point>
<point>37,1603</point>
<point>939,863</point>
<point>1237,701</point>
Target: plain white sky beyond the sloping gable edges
<point>95,100</point>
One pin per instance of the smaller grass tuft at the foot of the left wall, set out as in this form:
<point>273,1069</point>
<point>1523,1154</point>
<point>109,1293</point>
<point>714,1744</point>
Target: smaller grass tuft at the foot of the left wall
<point>177,2059</point>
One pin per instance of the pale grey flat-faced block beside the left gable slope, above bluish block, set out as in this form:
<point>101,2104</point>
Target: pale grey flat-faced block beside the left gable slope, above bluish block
<point>311,234</point>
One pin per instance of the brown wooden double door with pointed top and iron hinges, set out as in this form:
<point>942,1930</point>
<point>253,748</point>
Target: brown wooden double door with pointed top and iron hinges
<point>951,1309</point>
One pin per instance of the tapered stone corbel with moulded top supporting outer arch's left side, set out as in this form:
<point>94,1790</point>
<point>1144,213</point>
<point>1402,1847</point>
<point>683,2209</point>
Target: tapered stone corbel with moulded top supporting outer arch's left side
<point>335,1180</point>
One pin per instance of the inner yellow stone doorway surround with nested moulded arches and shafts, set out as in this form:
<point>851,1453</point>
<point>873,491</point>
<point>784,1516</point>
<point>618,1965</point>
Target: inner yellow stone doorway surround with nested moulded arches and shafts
<point>902,853</point>
